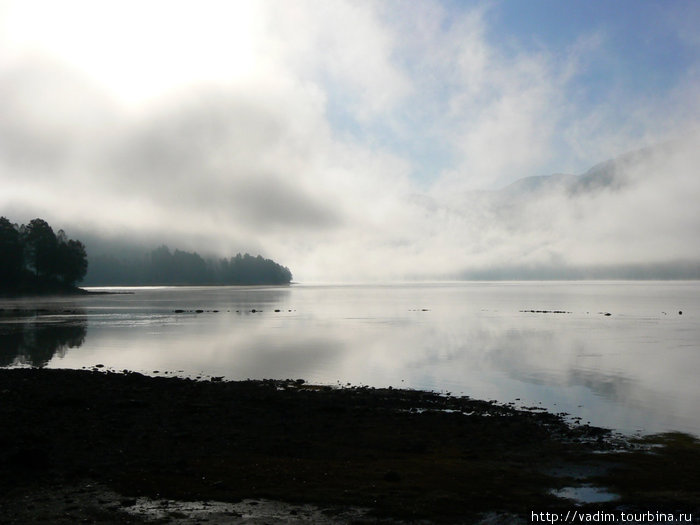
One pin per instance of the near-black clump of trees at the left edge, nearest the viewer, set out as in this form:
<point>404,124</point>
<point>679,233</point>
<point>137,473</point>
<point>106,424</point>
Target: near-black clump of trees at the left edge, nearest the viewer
<point>33,258</point>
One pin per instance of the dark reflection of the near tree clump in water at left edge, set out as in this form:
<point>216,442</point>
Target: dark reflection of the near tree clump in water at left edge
<point>33,337</point>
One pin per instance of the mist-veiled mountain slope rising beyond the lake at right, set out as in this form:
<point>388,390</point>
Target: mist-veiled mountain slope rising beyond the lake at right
<point>634,216</point>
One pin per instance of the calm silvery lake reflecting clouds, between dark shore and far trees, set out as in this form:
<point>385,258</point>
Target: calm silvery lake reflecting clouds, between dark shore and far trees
<point>544,344</point>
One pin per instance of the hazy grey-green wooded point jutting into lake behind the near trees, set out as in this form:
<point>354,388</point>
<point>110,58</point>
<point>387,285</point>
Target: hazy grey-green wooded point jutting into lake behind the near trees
<point>164,267</point>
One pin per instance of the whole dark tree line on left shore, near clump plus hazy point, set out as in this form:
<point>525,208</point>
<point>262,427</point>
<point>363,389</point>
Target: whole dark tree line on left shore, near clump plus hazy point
<point>34,259</point>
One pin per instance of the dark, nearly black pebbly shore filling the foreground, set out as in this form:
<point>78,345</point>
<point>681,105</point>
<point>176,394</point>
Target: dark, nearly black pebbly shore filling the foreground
<point>83,446</point>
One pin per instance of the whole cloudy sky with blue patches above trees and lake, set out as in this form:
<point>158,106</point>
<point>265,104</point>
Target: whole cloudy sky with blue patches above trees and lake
<point>353,140</point>
